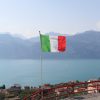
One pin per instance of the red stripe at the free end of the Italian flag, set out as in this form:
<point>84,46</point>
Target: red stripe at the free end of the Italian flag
<point>61,43</point>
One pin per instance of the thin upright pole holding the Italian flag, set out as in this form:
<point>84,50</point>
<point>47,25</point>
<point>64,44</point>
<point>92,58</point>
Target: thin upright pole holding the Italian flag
<point>41,69</point>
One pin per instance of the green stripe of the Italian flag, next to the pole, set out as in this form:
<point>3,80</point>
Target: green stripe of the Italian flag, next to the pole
<point>45,43</point>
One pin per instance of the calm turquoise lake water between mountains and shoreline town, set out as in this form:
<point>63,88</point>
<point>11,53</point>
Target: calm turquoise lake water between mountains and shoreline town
<point>28,72</point>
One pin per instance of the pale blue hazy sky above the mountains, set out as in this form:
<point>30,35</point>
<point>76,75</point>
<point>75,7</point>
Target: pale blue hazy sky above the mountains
<point>27,17</point>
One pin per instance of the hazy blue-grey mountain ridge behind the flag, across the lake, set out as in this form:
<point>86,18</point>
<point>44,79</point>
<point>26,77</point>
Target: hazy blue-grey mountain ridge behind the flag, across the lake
<point>85,45</point>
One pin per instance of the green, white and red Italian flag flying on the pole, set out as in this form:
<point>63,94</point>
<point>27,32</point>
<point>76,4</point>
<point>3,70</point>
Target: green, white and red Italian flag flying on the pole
<point>53,43</point>
